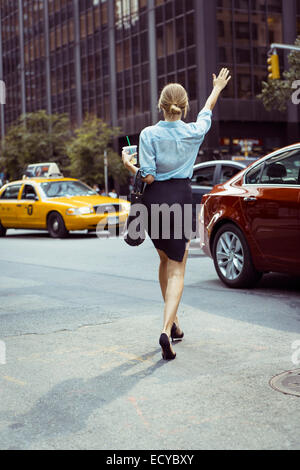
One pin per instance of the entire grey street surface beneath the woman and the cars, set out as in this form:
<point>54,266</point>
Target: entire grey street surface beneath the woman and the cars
<point>80,320</point>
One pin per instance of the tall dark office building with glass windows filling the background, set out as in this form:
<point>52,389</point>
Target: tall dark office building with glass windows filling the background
<point>112,58</point>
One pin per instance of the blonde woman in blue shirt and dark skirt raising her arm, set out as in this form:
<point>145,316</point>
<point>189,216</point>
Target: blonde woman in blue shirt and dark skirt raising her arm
<point>167,154</point>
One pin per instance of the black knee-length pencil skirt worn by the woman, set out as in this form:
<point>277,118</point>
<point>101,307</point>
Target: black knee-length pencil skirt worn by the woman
<point>169,213</point>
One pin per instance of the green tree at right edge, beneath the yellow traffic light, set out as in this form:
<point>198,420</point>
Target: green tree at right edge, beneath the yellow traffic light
<point>276,94</point>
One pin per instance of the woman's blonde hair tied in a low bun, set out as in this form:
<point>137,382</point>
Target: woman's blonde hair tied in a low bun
<point>174,99</point>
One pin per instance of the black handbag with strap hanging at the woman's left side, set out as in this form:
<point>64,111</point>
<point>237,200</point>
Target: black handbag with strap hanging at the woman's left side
<point>132,228</point>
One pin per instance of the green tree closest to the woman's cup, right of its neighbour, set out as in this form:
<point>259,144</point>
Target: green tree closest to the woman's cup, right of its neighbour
<point>86,152</point>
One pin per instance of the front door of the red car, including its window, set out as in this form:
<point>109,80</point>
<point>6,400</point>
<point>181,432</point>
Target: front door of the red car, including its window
<point>271,209</point>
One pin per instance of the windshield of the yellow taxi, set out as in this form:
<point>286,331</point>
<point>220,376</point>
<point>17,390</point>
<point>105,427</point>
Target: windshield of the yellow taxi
<point>66,188</point>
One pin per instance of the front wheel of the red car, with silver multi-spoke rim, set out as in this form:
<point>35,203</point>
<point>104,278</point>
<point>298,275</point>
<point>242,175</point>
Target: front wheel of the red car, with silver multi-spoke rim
<point>232,258</point>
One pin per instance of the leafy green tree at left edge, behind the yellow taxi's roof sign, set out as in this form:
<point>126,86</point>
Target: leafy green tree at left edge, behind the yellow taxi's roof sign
<point>36,137</point>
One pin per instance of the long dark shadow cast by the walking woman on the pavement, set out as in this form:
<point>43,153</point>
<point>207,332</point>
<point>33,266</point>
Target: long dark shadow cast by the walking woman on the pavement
<point>67,407</point>
